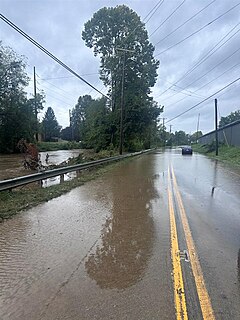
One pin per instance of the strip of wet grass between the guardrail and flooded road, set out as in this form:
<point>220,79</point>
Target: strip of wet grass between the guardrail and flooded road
<point>13,202</point>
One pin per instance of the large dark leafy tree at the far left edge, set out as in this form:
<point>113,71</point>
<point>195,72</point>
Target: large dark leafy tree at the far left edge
<point>17,113</point>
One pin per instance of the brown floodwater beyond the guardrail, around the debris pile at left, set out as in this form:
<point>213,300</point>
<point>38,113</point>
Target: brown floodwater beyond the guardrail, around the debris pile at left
<point>11,166</point>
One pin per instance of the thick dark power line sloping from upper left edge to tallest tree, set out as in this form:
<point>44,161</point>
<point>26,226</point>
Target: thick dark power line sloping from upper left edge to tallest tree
<point>25,35</point>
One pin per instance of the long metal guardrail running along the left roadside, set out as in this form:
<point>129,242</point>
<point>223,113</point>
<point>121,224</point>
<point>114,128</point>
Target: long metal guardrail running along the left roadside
<point>20,181</point>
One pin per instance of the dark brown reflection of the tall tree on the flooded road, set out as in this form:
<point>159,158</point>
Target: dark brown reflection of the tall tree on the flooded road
<point>121,258</point>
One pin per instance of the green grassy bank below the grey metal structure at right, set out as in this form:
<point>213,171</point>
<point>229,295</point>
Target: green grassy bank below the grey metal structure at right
<point>230,155</point>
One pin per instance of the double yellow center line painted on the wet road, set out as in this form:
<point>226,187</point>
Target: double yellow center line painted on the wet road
<point>179,296</point>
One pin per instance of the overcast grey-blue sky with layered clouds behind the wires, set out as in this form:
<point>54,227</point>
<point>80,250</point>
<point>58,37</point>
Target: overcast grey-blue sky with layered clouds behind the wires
<point>57,25</point>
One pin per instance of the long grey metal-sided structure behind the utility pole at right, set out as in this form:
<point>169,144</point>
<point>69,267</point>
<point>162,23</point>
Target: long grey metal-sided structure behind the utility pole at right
<point>229,134</point>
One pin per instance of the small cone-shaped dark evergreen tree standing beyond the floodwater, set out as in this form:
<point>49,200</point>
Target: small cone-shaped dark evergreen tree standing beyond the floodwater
<point>50,126</point>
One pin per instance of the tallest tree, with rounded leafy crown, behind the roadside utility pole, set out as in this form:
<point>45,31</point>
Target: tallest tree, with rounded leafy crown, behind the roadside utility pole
<point>120,38</point>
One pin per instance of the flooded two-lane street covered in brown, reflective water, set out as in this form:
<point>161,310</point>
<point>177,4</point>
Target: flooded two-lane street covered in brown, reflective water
<point>103,251</point>
